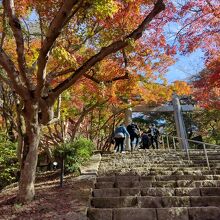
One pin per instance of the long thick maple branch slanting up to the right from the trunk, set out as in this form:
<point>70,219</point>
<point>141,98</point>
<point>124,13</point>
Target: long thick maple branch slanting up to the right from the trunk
<point>105,51</point>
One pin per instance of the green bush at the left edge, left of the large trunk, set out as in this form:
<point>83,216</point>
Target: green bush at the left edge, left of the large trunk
<point>8,161</point>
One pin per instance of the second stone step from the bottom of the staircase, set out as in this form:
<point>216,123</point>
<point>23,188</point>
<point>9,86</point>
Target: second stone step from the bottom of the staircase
<point>155,202</point>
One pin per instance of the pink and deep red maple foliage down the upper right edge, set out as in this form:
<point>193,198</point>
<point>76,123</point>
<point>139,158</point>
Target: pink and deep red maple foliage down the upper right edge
<point>198,27</point>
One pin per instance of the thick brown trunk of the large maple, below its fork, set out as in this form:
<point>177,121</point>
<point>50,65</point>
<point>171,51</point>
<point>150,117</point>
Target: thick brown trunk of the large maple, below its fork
<point>30,154</point>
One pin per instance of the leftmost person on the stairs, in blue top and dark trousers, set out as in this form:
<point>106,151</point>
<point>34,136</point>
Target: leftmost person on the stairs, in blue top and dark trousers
<point>119,136</point>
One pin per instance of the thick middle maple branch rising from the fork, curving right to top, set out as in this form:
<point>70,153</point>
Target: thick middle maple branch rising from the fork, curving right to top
<point>54,31</point>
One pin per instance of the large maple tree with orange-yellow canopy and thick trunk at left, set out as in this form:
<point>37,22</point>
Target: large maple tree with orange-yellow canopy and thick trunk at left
<point>117,44</point>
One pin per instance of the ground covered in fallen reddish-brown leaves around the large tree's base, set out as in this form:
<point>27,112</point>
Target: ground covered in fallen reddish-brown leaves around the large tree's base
<point>51,201</point>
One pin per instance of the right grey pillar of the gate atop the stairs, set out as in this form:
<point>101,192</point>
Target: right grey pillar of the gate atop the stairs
<point>180,127</point>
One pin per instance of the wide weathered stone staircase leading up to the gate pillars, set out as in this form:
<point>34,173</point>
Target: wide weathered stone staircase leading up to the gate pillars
<point>157,185</point>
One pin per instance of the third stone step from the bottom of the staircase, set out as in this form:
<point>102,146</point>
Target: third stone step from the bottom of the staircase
<point>156,191</point>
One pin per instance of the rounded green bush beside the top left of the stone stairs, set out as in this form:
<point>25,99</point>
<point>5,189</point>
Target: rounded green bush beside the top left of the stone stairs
<point>75,153</point>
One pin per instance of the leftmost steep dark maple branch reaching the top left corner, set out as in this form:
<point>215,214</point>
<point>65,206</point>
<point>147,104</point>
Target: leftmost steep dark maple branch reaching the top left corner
<point>18,35</point>
